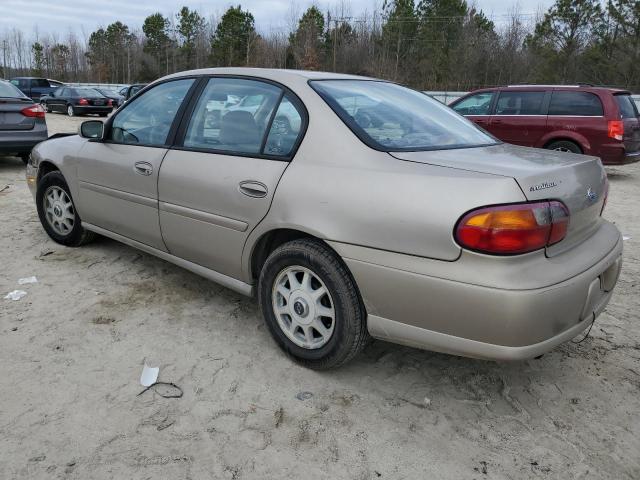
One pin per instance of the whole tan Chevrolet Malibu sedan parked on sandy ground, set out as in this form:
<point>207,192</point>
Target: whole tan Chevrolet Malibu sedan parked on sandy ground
<point>379,212</point>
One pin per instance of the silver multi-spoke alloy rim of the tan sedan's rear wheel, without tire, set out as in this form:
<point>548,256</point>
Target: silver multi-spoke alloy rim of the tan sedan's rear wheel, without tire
<point>303,307</point>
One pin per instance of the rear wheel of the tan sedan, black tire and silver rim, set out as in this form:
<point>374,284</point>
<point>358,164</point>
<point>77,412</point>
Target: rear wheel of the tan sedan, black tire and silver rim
<point>311,305</point>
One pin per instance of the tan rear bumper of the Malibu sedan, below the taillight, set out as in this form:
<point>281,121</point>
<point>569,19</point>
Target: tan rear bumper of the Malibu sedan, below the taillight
<point>476,320</point>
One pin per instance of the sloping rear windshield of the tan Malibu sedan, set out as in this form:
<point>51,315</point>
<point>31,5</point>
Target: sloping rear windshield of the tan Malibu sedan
<point>389,117</point>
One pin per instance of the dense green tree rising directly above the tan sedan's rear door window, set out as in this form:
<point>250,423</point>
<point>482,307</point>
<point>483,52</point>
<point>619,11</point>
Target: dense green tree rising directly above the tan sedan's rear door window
<point>231,42</point>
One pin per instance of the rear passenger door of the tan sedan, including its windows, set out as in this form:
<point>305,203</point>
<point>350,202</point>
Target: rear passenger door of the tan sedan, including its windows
<point>217,185</point>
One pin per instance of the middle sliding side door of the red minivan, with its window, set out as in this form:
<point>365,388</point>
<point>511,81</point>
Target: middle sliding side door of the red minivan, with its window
<point>520,116</point>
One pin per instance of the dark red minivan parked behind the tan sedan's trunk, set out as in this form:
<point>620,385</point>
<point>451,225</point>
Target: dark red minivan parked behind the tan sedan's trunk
<point>581,119</point>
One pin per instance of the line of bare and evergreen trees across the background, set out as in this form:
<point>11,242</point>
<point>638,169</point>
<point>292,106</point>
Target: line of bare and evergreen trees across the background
<point>427,44</point>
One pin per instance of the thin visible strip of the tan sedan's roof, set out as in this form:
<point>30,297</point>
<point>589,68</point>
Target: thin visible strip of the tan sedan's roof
<point>275,74</point>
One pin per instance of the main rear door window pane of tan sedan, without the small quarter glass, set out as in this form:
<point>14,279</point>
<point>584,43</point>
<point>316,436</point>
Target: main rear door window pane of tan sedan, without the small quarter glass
<point>222,123</point>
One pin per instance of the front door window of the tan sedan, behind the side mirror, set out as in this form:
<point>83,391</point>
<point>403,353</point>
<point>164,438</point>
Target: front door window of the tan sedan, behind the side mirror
<point>147,119</point>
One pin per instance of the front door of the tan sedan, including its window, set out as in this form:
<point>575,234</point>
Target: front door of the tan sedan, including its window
<point>118,178</point>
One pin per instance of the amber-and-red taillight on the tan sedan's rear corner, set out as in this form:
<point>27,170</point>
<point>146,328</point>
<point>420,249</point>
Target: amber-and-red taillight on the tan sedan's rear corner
<point>513,229</point>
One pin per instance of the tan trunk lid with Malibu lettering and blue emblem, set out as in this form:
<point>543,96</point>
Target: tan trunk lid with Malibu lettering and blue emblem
<point>578,181</point>
